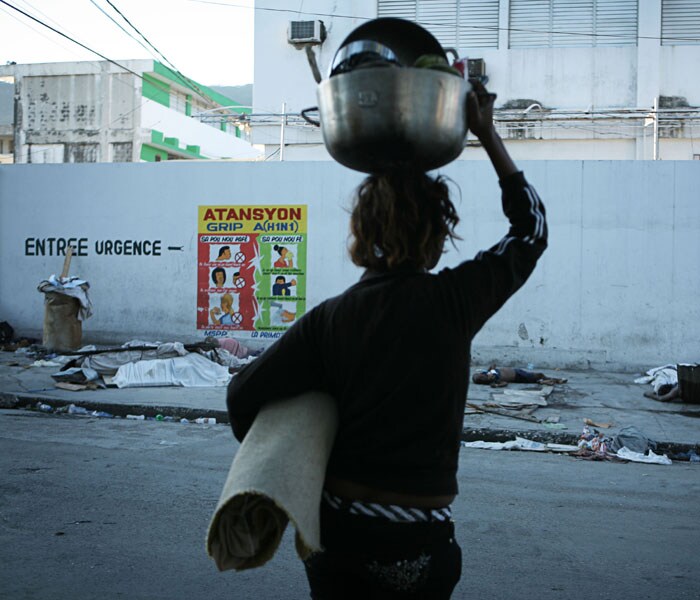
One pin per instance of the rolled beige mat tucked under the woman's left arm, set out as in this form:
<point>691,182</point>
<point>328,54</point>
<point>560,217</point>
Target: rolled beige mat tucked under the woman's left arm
<point>276,476</point>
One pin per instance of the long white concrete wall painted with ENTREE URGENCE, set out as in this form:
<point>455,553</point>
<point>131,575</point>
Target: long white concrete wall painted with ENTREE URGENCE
<point>618,286</point>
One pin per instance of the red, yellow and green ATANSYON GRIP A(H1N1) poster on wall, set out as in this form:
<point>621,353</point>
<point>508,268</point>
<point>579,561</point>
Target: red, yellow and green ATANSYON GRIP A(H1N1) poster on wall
<point>251,274</point>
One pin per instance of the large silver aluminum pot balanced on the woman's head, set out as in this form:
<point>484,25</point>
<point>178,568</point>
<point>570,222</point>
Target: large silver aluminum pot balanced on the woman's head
<point>378,119</point>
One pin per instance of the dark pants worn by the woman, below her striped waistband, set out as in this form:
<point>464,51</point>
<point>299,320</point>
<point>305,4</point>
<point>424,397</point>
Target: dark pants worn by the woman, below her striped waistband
<point>370,558</point>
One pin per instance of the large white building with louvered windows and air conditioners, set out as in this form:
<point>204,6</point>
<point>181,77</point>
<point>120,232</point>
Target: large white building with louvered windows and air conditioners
<point>590,79</point>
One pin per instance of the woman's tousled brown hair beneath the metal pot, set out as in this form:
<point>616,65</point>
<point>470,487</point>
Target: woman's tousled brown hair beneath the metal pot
<point>401,219</point>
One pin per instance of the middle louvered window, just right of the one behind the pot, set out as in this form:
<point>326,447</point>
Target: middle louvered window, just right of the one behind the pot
<point>561,23</point>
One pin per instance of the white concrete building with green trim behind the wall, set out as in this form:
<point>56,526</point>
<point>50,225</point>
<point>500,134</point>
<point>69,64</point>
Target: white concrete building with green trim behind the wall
<point>138,110</point>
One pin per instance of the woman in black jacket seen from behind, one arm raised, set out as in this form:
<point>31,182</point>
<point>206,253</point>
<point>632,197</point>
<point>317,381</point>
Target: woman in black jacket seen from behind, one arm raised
<point>386,524</point>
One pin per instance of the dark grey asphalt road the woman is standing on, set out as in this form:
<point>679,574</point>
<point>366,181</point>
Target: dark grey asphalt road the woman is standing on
<point>101,509</point>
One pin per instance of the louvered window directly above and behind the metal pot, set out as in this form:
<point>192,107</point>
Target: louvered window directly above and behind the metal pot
<point>455,23</point>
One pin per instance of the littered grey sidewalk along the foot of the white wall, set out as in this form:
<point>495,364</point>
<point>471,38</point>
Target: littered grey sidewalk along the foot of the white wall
<point>602,397</point>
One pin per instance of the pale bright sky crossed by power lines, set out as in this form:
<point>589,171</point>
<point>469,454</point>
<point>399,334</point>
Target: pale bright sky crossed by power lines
<point>210,43</point>
